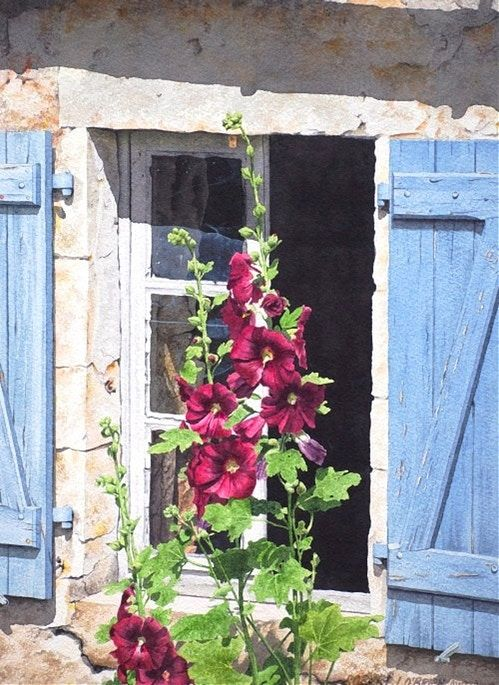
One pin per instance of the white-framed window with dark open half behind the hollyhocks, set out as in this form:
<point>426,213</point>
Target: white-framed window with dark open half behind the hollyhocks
<point>320,191</point>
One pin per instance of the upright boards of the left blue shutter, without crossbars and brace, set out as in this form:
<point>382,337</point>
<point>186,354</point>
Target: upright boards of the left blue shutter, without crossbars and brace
<point>29,361</point>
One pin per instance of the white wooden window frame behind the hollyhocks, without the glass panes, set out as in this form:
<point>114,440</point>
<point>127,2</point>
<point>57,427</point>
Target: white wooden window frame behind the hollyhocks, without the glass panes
<point>136,150</point>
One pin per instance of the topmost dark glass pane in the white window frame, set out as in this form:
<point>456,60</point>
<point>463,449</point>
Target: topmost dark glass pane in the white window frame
<point>204,195</point>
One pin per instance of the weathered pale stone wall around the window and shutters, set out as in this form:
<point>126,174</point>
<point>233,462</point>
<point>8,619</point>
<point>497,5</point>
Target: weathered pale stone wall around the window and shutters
<point>86,70</point>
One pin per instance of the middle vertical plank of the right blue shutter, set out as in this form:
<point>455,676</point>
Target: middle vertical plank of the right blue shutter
<point>453,262</point>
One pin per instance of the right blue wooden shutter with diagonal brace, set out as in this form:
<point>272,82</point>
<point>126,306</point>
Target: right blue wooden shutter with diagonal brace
<point>443,580</point>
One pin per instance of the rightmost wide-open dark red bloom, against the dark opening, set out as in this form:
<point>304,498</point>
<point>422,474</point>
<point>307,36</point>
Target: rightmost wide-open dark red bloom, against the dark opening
<point>290,407</point>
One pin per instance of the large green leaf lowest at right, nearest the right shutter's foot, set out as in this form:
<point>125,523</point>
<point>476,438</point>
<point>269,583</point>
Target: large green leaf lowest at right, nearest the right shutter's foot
<point>329,633</point>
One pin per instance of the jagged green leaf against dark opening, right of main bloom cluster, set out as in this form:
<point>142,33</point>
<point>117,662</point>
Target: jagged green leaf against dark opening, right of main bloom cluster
<point>330,490</point>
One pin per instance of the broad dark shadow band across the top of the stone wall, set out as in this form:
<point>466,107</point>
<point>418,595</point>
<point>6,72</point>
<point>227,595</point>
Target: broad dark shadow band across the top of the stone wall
<point>433,56</point>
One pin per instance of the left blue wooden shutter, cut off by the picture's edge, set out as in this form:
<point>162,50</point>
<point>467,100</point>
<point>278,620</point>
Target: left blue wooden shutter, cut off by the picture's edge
<point>26,364</point>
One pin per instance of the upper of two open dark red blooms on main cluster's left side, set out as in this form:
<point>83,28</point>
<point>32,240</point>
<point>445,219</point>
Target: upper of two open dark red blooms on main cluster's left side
<point>208,408</point>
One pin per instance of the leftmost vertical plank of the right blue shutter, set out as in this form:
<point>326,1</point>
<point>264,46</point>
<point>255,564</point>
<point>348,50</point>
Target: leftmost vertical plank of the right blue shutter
<point>410,392</point>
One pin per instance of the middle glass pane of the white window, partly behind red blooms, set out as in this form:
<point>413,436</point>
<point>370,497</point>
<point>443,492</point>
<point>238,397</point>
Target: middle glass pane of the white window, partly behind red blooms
<point>171,334</point>
